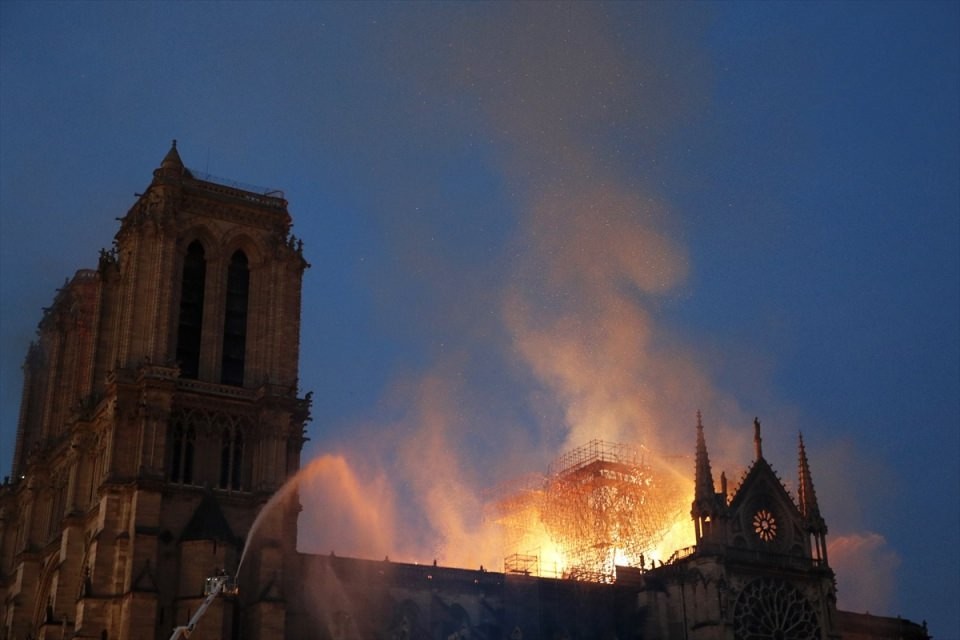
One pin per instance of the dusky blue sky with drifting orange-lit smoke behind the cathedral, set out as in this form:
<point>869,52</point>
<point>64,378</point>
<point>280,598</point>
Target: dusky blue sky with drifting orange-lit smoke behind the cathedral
<point>531,225</point>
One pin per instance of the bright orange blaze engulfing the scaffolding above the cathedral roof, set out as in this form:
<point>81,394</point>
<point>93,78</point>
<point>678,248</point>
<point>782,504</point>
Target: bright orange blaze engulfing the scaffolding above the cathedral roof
<point>599,506</point>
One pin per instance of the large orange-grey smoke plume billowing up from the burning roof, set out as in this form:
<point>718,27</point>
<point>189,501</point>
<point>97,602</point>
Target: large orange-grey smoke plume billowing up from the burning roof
<point>569,313</point>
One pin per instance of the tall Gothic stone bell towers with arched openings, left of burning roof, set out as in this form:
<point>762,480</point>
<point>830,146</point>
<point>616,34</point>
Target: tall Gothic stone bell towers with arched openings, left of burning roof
<point>160,412</point>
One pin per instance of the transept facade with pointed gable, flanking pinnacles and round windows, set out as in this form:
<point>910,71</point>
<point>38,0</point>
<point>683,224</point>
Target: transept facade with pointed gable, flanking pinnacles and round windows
<point>754,550</point>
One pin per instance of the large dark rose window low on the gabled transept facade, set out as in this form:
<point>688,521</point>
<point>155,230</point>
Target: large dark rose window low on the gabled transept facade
<point>769,609</point>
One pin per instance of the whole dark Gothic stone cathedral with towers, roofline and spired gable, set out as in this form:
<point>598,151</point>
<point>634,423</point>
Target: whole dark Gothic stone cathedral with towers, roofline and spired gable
<point>160,415</point>
